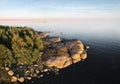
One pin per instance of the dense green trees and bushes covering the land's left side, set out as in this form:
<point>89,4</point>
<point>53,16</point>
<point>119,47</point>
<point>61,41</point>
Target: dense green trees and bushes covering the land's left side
<point>18,45</point>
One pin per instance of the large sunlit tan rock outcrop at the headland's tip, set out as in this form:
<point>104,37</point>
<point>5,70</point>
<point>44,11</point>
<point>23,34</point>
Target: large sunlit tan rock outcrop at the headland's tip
<point>61,53</point>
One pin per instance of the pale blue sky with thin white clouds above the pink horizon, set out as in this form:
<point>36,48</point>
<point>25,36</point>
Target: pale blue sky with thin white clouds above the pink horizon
<point>59,8</point>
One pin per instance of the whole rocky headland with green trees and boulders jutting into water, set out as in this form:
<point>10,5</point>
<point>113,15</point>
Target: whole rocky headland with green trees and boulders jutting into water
<point>27,54</point>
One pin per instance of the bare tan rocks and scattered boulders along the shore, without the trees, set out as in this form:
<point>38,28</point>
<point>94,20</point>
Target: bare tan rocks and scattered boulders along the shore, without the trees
<point>59,53</point>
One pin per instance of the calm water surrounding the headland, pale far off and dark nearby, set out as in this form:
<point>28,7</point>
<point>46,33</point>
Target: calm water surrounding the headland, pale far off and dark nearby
<point>103,63</point>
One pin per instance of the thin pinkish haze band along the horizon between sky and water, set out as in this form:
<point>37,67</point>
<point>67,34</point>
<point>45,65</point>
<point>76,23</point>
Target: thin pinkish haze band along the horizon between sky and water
<point>56,19</point>
